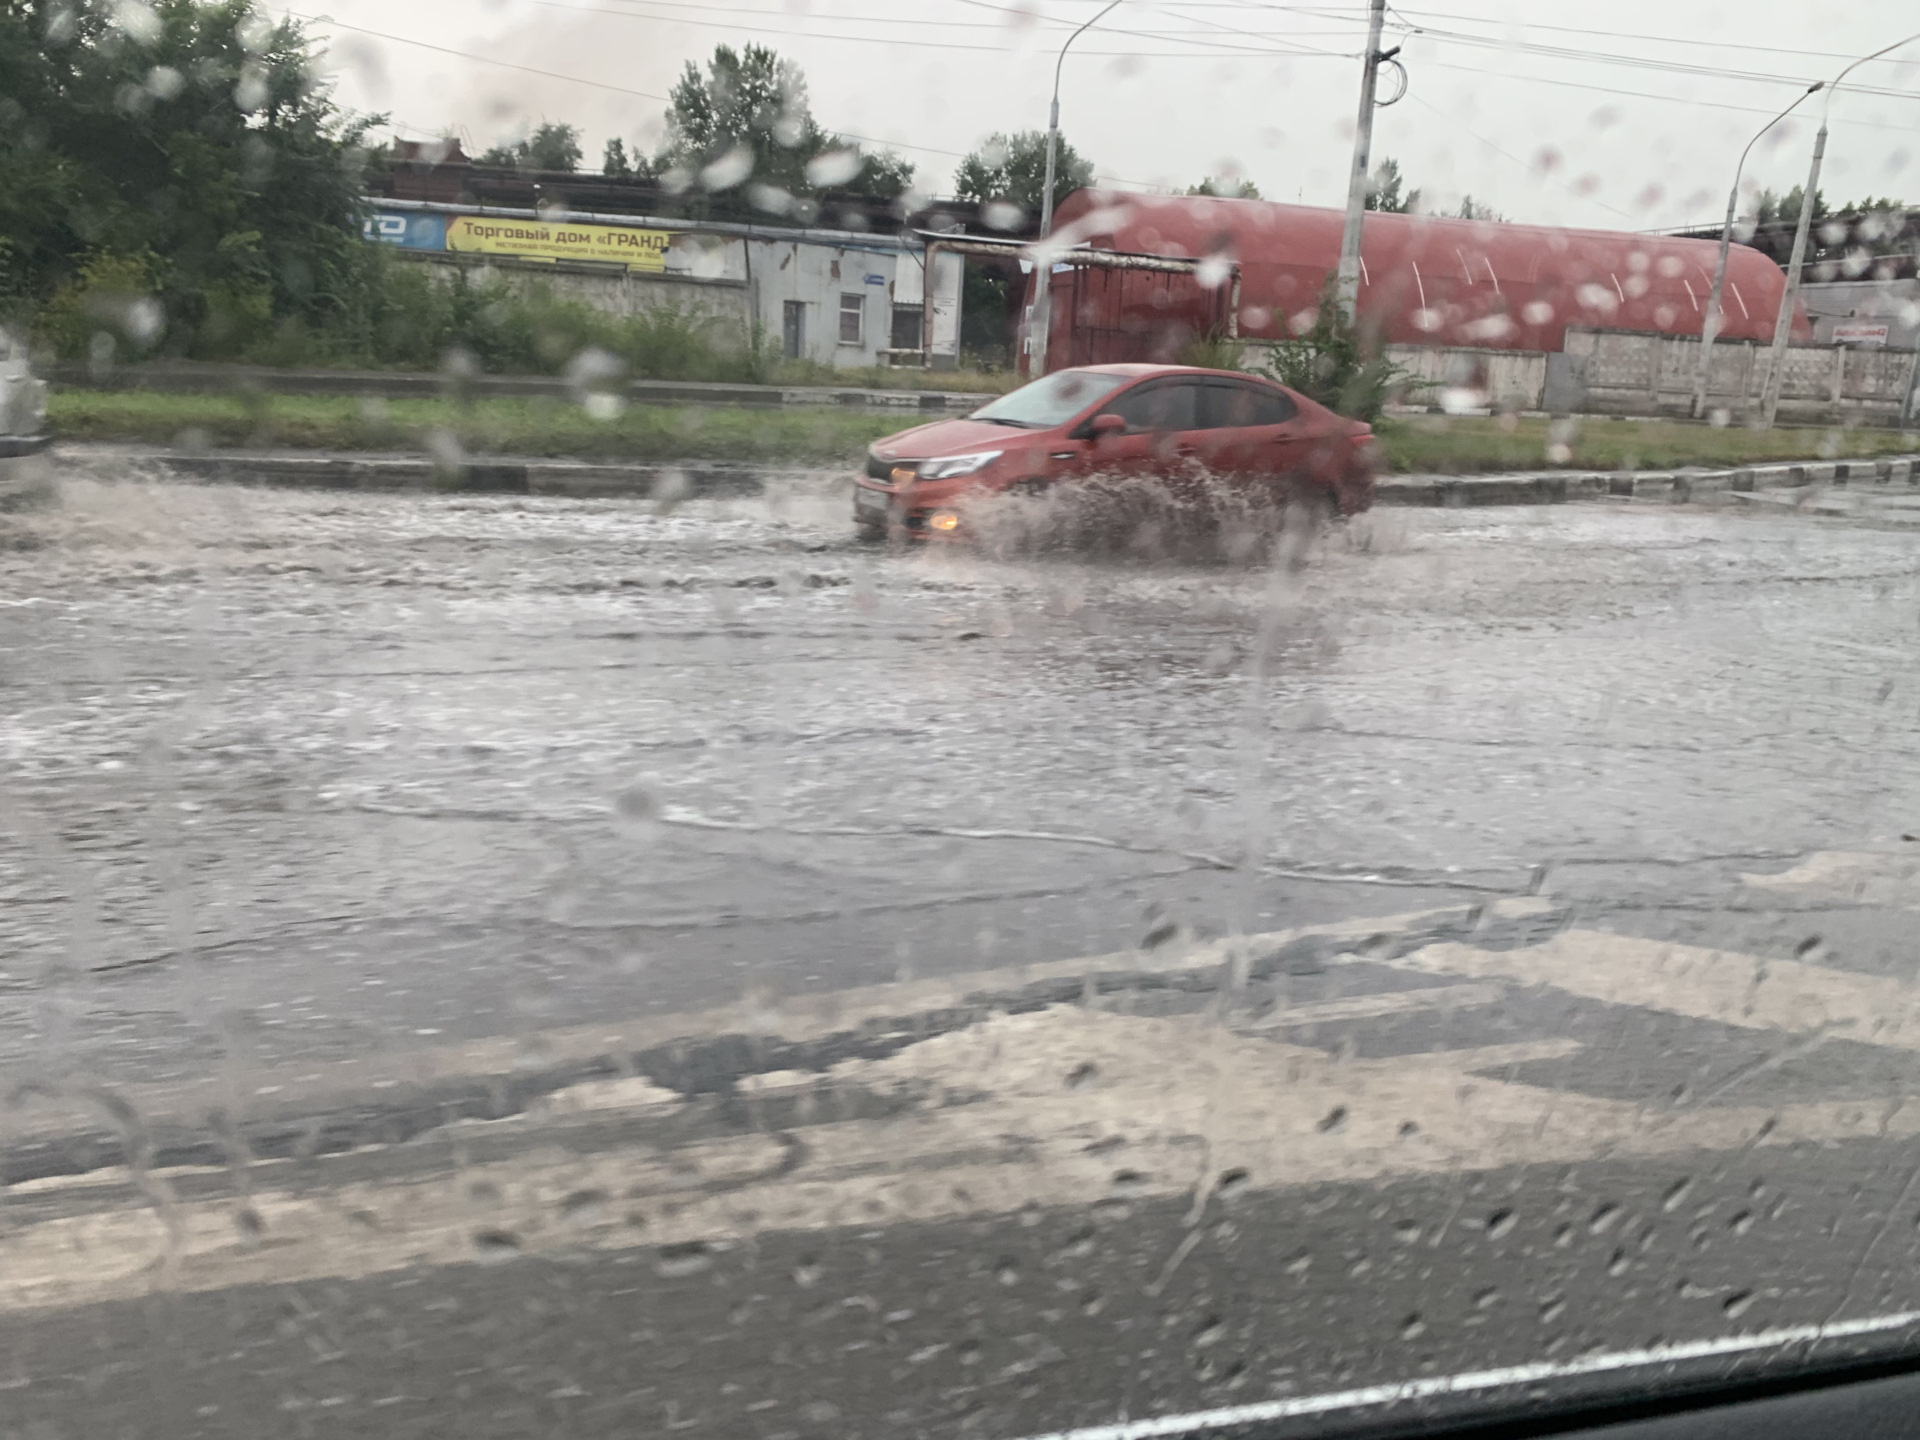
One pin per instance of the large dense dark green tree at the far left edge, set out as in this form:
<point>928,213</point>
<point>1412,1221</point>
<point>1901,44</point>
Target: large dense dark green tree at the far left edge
<point>176,176</point>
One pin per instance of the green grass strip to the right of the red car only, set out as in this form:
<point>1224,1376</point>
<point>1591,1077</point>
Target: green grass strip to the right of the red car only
<point>1466,444</point>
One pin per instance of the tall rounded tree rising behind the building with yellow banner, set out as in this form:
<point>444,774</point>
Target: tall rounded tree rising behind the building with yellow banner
<point>750,118</point>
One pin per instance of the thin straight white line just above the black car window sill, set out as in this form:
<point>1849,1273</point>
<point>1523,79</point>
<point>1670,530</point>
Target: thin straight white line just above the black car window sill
<point>1401,1393</point>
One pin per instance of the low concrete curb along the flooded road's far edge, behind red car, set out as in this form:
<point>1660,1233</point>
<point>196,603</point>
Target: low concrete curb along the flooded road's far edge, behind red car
<point>690,479</point>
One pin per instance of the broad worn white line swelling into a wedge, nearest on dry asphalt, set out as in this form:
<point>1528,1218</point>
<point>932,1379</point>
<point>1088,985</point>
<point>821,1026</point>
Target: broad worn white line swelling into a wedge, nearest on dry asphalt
<point>1044,1107</point>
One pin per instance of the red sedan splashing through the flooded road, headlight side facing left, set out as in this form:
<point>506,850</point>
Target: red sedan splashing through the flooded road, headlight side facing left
<point>1115,421</point>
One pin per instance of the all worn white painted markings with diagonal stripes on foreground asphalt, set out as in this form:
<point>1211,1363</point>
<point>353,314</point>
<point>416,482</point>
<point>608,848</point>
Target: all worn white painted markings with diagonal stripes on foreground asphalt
<point>1051,1107</point>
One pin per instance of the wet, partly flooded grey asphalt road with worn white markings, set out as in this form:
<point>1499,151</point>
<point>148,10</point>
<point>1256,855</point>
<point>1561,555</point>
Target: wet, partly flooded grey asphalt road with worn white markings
<point>491,967</point>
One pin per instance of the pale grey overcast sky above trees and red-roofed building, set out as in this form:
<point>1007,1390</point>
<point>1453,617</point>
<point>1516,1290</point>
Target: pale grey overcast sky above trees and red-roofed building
<point>1623,116</point>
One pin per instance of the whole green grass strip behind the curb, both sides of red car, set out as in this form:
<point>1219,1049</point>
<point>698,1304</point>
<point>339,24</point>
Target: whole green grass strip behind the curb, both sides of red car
<point>832,435</point>
